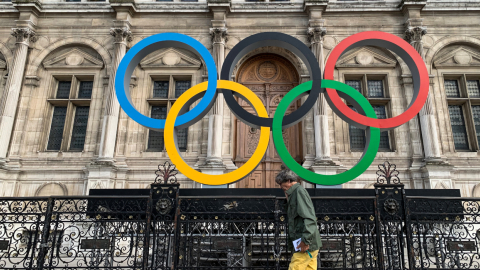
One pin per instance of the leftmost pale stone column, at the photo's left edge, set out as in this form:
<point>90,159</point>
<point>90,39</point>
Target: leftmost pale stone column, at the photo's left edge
<point>9,100</point>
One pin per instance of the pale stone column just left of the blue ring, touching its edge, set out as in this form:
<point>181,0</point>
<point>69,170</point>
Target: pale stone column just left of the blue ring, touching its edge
<point>121,36</point>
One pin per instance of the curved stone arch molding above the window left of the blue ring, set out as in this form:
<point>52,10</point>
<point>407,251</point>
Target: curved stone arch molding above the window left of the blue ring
<point>32,69</point>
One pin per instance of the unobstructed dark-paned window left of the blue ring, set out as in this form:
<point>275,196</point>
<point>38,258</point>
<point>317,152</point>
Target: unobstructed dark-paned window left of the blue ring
<point>71,106</point>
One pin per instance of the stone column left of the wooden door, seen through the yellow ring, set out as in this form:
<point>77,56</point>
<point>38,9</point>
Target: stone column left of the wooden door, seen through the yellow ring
<point>214,162</point>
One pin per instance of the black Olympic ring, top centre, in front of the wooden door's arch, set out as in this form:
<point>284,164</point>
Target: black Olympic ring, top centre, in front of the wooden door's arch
<point>279,40</point>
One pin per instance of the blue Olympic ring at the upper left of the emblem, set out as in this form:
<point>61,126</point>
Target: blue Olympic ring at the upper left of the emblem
<point>143,48</point>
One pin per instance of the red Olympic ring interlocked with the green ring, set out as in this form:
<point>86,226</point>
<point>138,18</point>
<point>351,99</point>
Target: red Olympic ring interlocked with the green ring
<point>410,56</point>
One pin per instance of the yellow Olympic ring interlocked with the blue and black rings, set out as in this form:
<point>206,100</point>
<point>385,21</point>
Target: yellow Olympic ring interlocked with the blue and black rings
<point>230,177</point>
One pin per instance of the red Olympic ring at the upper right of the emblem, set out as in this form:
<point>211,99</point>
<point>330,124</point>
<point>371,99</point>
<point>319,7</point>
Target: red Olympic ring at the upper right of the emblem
<point>389,123</point>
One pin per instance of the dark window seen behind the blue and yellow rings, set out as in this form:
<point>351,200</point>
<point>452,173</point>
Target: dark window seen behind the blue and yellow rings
<point>166,89</point>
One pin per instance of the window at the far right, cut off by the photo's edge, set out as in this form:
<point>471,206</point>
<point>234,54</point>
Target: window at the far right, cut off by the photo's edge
<point>463,98</point>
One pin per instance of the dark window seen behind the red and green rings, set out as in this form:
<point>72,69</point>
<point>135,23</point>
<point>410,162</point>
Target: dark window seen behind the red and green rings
<point>373,87</point>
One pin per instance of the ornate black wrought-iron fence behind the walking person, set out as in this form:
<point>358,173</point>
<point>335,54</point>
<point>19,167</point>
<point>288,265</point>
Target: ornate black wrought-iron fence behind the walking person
<point>163,230</point>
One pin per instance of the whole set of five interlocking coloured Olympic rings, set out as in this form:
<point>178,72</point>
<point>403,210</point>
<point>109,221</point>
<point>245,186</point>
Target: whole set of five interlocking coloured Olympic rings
<point>178,117</point>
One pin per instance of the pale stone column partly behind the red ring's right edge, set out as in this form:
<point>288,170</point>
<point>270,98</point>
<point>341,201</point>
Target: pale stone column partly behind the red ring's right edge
<point>431,144</point>
